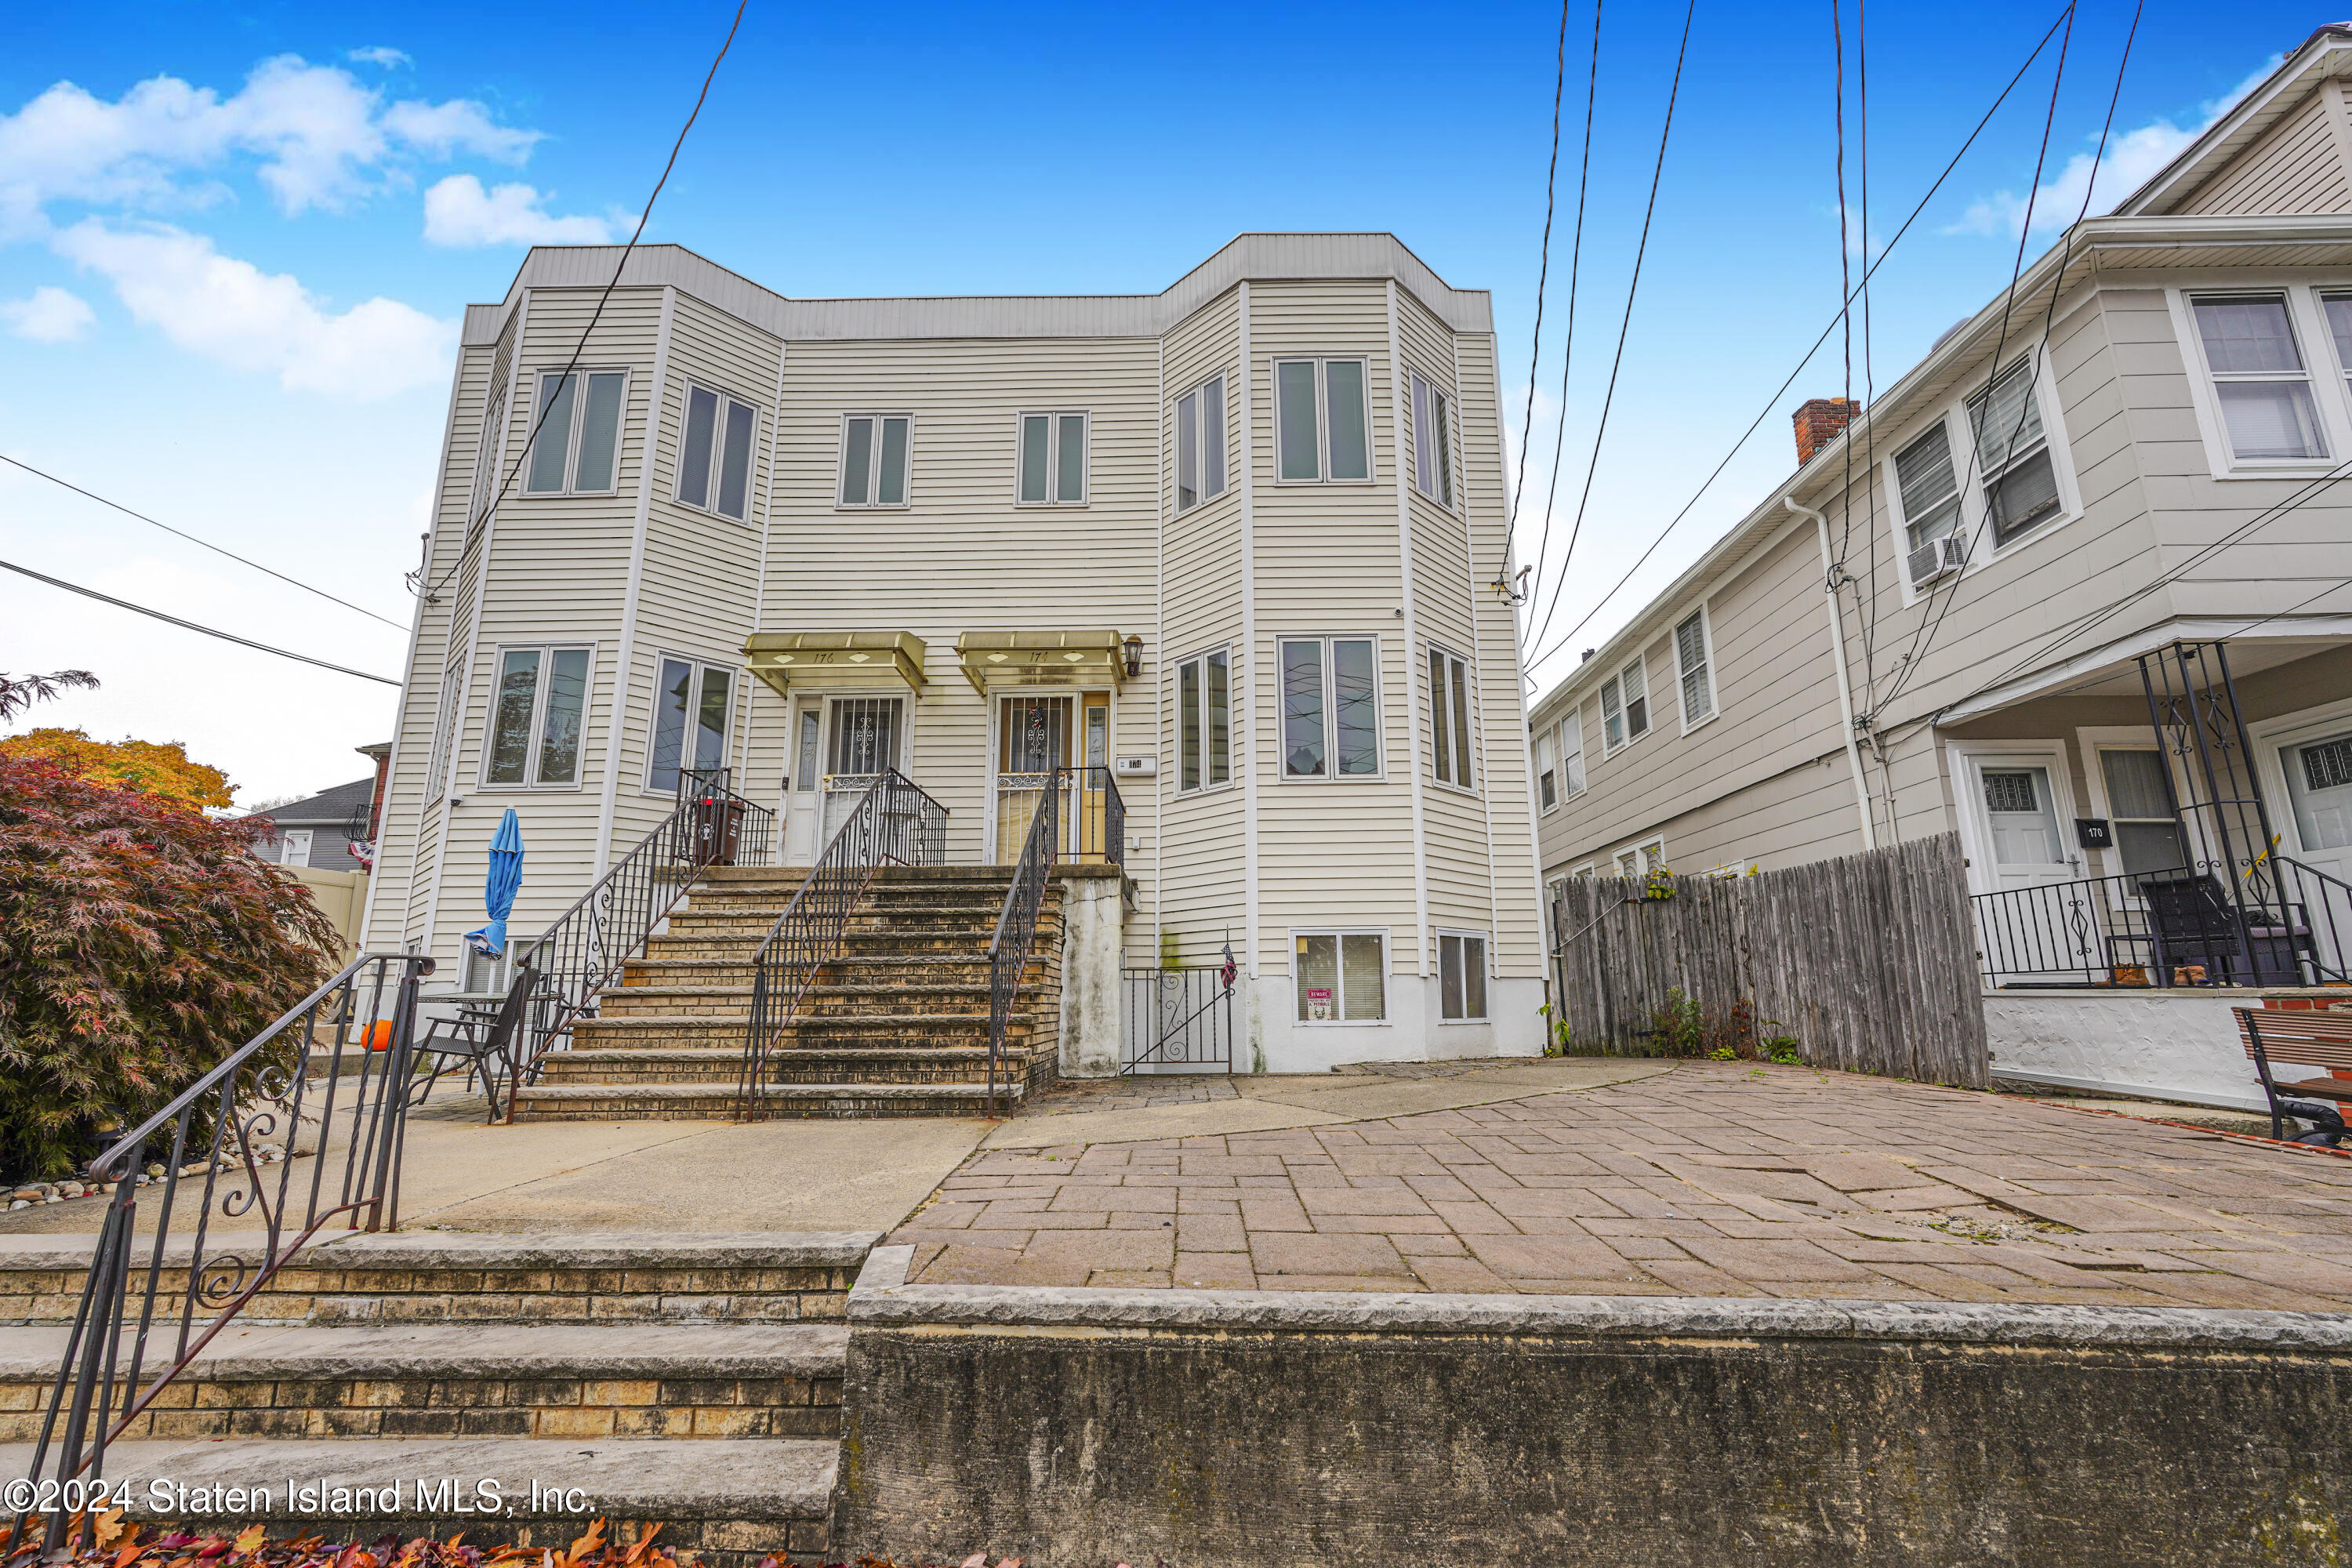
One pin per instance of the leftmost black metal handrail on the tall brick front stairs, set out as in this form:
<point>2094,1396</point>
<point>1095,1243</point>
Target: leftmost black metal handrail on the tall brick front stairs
<point>617,918</point>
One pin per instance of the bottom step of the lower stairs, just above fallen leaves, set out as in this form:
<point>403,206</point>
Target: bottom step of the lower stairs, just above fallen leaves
<point>728,1503</point>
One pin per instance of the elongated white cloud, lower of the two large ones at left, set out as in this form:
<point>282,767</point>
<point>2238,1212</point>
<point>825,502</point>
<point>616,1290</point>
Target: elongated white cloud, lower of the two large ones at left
<point>246,319</point>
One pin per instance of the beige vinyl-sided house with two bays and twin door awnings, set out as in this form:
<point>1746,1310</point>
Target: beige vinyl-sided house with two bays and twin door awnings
<point>914,577</point>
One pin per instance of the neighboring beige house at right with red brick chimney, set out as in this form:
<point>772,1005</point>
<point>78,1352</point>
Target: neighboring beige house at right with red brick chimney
<point>2071,589</point>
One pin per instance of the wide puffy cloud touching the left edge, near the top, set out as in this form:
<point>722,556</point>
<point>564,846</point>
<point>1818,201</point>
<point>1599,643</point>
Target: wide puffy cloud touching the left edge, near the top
<point>319,133</point>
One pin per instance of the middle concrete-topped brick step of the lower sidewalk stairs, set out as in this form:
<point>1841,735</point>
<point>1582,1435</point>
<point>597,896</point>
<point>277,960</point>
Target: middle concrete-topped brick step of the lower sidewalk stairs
<point>563,1381</point>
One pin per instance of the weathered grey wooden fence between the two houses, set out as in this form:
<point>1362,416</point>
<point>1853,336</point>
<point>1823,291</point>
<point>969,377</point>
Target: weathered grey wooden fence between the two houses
<point>1866,960</point>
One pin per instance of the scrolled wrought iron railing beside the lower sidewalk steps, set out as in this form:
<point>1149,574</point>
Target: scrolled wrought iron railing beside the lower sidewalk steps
<point>255,1139</point>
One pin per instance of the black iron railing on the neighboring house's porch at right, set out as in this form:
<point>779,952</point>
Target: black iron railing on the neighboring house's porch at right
<point>2283,925</point>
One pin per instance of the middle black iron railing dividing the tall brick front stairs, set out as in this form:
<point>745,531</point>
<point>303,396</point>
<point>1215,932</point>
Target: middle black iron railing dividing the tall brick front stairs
<point>895,824</point>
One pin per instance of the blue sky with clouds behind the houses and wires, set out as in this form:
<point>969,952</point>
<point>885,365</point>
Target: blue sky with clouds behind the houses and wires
<point>234,248</point>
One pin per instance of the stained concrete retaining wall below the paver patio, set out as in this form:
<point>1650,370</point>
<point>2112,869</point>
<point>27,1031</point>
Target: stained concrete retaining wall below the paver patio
<point>1288,1428</point>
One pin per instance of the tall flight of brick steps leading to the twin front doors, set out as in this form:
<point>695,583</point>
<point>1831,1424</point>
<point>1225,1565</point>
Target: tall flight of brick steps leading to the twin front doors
<point>895,1026</point>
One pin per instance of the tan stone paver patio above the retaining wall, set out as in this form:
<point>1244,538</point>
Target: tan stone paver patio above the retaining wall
<point>1716,1179</point>
